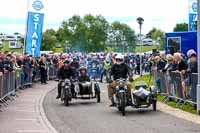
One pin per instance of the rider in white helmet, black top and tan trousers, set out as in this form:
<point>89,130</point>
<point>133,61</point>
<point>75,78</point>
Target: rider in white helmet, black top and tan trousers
<point>119,70</point>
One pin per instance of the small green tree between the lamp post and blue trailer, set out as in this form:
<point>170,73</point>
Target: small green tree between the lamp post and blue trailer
<point>158,36</point>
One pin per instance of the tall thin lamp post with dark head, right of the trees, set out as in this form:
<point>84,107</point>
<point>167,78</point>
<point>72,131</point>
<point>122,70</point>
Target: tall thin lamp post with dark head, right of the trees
<point>140,21</point>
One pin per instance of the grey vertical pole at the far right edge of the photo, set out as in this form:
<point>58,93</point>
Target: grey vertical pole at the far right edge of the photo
<point>198,47</point>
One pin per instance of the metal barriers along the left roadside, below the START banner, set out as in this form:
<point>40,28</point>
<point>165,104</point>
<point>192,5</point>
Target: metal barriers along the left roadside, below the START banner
<point>11,81</point>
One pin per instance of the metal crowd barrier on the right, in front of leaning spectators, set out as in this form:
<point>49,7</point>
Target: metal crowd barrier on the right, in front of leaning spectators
<point>173,84</point>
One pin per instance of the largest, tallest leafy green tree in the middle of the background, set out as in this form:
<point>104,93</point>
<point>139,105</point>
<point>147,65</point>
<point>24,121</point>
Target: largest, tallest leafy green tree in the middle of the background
<point>87,34</point>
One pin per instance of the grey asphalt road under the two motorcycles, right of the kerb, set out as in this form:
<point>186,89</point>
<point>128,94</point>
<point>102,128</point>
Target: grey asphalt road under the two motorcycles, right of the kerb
<point>91,117</point>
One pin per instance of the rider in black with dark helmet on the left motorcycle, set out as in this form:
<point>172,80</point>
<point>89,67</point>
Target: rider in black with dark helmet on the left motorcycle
<point>65,72</point>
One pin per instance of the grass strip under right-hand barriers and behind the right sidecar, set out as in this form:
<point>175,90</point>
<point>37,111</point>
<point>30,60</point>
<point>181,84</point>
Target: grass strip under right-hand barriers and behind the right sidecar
<point>146,78</point>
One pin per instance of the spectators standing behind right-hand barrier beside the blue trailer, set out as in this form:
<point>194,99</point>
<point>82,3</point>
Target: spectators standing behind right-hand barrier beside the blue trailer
<point>185,65</point>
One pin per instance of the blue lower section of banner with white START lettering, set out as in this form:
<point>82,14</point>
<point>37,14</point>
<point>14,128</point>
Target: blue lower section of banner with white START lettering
<point>34,33</point>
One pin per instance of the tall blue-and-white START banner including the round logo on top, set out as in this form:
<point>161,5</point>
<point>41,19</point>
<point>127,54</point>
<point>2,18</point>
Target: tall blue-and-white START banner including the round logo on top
<point>35,18</point>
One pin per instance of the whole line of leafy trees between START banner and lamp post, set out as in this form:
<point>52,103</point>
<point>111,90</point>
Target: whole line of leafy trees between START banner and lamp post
<point>89,34</point>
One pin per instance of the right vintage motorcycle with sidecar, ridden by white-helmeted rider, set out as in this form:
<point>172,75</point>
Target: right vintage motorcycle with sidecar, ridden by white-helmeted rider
<point>140,97</point>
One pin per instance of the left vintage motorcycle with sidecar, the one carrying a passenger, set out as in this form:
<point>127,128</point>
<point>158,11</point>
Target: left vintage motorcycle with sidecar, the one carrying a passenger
<point>73,89</point>
